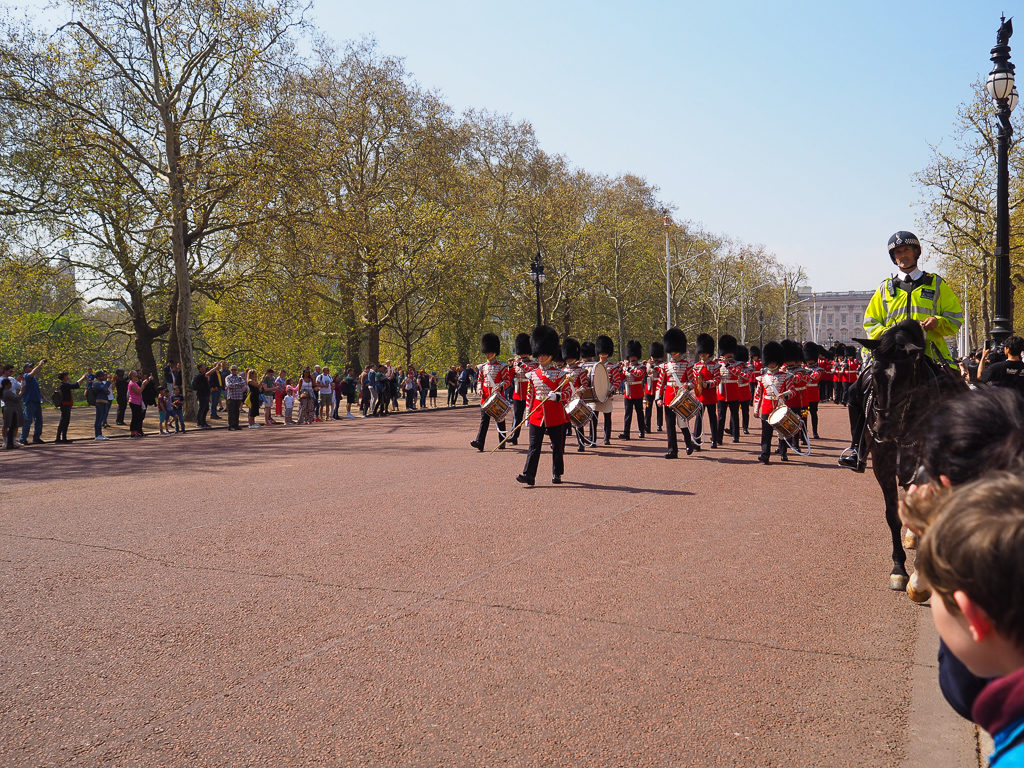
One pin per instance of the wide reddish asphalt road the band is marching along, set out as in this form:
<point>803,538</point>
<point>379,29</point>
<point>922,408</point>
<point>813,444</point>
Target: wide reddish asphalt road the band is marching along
<point>378,593</point>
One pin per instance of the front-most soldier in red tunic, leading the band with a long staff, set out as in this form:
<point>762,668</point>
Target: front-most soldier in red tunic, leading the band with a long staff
<point>548,387</point>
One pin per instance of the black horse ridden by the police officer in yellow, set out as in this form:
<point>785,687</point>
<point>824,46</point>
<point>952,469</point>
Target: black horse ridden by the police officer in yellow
<point>902,387</point>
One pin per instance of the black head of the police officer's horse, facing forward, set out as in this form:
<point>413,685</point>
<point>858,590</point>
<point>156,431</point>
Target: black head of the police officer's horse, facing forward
<point>898,355</point>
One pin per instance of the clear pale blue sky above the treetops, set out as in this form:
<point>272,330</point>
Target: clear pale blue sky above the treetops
<point>796,125</point>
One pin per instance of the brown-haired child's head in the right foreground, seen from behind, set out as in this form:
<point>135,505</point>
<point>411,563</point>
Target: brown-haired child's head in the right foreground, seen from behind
<point>973,559</point>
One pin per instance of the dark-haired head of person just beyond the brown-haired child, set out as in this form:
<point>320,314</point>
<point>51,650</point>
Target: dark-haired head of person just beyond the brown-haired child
<point>974,434</point>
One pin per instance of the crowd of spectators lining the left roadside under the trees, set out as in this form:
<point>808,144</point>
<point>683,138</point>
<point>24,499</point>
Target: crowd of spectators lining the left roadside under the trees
<point>222,392</point>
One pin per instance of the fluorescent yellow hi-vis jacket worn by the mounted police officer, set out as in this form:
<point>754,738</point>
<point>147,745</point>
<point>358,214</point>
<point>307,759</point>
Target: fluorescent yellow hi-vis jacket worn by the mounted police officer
<point>933,298</point>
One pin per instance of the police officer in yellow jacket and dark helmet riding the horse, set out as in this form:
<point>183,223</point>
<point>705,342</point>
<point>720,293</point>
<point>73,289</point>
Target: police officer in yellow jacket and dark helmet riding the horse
<point>911,294</point>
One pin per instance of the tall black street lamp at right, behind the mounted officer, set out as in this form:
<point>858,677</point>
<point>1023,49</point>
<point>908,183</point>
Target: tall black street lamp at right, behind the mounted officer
<point>1001,88</point>
